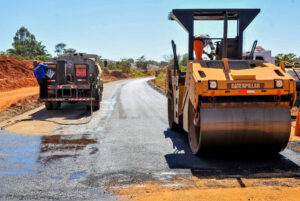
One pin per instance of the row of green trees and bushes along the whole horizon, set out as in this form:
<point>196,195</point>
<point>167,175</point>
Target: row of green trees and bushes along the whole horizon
<point>26,46</point>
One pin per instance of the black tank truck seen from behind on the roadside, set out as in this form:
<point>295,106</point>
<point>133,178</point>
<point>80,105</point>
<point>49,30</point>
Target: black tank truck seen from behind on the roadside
<point>74,78</point>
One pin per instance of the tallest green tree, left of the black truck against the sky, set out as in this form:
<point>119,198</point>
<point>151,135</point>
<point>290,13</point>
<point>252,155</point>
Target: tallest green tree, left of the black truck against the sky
<point>27,46</point>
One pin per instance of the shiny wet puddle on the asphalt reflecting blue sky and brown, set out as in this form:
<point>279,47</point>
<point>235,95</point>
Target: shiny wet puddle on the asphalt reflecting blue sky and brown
<point>24,155</point>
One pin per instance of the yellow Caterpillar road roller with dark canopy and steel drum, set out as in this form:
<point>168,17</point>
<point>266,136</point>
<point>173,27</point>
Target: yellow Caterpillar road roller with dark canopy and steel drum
<point>228,102</point>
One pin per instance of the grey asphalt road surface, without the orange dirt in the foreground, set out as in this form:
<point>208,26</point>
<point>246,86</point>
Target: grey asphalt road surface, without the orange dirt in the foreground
<point>126,141</point>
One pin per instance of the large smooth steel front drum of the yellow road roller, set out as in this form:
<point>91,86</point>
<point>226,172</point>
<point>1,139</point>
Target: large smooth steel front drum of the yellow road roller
<point>232,129</point>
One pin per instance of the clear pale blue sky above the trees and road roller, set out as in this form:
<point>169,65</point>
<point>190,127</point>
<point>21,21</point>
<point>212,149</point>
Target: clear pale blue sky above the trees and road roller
<point>118,29</point>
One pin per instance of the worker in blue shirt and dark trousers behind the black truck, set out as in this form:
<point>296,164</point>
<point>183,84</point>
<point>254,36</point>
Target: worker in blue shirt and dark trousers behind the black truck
<point>39,73</point>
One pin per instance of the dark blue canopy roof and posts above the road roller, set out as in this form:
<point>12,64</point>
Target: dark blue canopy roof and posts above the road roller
<point>186,17</point>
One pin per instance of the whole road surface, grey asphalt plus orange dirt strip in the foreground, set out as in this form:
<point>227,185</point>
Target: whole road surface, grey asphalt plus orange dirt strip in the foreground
<point>127,152</point>
